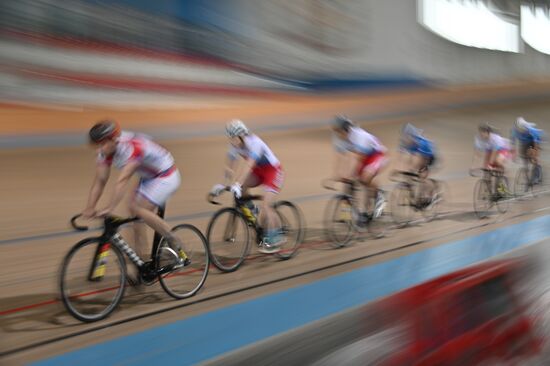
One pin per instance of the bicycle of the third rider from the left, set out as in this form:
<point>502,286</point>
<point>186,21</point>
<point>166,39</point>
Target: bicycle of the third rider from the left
<point>344,220</point>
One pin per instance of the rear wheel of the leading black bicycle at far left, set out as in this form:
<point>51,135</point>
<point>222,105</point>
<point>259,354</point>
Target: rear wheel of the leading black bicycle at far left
<point>183,281</point>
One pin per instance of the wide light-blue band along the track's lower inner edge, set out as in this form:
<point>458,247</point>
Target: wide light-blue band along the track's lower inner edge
<point>209,335</point>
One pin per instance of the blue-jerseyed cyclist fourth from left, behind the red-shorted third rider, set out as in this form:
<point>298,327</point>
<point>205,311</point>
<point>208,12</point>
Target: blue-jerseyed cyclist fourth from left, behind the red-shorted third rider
<point>418,154</point>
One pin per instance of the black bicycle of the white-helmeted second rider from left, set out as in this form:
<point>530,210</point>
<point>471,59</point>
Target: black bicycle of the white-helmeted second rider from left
<point>229,246</point>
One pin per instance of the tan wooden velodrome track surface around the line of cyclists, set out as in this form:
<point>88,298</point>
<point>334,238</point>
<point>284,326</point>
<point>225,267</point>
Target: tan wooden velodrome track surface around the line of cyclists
<point>41,188</point>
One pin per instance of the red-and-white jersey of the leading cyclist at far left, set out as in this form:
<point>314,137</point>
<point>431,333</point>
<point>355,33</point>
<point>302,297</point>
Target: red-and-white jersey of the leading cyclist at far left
<point>154,159</point>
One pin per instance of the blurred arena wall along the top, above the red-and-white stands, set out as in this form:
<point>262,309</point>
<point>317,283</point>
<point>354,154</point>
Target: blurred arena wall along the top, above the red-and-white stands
<point>304,41</point>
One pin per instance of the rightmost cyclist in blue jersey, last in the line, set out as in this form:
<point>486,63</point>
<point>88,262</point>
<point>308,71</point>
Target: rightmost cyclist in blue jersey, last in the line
<point>528,140</point>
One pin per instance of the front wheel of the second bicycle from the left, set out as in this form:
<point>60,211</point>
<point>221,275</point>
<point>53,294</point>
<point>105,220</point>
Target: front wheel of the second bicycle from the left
<point>228,239</point>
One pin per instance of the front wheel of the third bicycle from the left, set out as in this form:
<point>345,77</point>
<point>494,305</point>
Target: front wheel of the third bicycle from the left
<point>340,216</point>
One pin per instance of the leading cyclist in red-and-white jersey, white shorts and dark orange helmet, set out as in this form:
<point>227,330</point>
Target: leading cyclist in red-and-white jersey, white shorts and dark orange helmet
<point>134,153</point>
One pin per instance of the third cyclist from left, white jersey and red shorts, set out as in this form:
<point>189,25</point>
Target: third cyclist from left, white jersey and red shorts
<point>359,155</point>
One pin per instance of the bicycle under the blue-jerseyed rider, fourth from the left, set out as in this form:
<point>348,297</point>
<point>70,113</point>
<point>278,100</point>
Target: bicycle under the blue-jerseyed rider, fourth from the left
<point>409,196</point>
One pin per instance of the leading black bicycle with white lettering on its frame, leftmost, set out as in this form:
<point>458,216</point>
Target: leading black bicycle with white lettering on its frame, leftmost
<point>91,287</point>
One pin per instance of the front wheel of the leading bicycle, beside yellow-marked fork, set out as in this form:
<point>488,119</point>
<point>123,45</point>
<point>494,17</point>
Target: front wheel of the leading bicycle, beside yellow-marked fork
<point>92,280</point>
